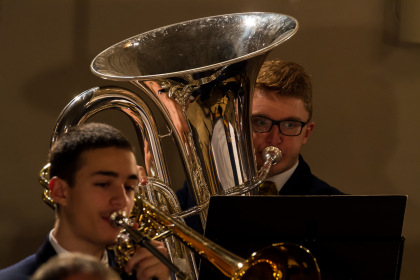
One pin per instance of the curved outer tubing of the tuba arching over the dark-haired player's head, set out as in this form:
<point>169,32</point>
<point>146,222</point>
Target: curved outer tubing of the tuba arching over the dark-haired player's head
<point>97,99</point>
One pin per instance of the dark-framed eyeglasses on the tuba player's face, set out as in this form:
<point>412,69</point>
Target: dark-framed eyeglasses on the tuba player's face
<point>288,128</point>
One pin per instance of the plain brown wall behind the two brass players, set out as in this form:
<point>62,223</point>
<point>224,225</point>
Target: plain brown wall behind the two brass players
<point>366,94</point>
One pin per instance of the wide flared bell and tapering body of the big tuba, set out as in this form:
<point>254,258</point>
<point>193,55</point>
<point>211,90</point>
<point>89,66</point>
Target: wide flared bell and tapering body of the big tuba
<point>201,74</point>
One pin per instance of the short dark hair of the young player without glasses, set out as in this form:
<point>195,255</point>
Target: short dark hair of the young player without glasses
<point>64,155</point>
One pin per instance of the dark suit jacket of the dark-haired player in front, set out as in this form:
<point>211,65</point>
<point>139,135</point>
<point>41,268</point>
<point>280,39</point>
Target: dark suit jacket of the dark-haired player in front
<point>24,269</point>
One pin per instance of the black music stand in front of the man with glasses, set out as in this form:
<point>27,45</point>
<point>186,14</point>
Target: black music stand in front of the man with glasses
<point>352,237</point>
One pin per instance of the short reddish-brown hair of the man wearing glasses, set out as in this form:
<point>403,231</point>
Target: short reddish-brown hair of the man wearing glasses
<point>286,78</point>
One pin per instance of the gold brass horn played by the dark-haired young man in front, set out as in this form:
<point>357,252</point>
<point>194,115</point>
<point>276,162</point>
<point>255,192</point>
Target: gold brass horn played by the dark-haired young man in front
<point>279,261</point>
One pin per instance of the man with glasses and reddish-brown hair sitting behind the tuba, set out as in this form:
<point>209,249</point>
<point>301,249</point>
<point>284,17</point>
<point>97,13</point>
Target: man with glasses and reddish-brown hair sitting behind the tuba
<point>281,117</point>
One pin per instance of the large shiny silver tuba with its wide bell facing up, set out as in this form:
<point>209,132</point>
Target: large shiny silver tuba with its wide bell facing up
<point>200,76</point>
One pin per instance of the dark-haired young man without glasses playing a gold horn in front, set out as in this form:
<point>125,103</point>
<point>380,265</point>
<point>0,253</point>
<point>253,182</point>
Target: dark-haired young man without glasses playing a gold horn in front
<point>93,174</point>
